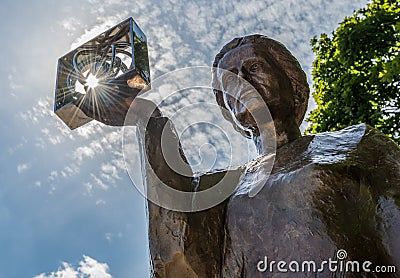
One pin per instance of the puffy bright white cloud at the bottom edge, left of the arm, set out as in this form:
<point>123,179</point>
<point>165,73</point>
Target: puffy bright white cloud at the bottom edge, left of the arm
<point>88,268</point>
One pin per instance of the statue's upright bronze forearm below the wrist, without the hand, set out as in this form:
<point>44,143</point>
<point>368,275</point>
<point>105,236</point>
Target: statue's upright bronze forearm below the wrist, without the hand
<point>164,165</point>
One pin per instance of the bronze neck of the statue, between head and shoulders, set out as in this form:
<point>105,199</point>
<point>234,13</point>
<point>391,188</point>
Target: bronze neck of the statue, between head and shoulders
<point>286,130</point>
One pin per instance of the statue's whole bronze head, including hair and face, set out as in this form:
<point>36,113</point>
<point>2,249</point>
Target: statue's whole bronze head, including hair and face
<point>272,70</point>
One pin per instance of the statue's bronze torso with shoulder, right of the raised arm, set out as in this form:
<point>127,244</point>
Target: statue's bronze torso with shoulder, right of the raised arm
<point>326,192</point>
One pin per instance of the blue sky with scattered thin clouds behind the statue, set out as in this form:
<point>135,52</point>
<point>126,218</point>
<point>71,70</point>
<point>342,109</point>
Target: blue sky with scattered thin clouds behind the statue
<point>67,204</point>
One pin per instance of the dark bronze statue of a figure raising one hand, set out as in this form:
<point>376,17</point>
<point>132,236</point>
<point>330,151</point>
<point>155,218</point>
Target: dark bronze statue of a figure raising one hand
<point>327,192</point>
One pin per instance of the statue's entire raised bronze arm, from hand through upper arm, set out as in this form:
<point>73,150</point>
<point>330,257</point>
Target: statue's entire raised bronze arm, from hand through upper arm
<point>181,244</point>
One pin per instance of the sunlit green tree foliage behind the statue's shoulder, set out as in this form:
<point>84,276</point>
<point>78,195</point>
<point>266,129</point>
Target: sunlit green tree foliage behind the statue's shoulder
<point>356,72</point>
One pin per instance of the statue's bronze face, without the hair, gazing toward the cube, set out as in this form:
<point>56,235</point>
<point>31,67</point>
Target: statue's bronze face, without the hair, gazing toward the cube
<point>253,63</point>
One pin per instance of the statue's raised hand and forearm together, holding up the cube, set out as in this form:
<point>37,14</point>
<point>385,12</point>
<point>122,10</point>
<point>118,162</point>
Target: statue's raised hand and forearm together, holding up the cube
<point>166,227</point>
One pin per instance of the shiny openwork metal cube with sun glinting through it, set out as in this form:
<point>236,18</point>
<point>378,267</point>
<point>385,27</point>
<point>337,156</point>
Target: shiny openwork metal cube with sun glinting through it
<point>115,60</point>
